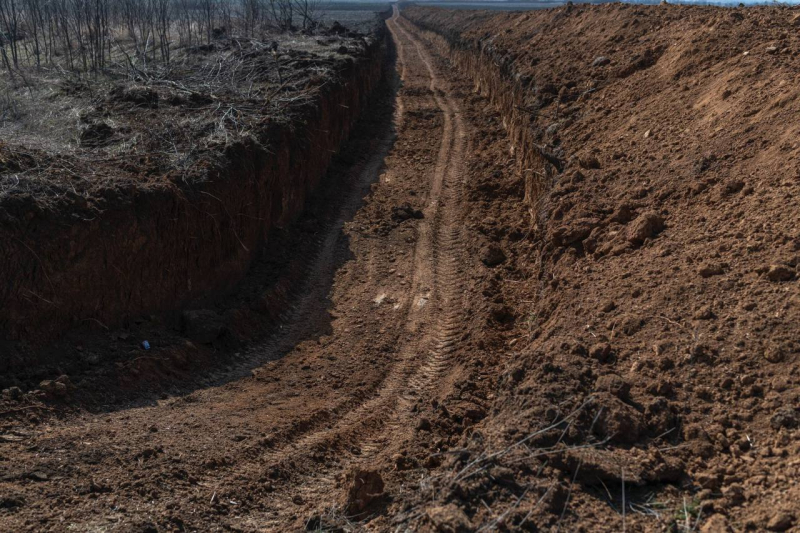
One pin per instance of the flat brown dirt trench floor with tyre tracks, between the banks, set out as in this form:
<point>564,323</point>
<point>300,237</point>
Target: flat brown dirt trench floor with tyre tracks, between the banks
<point>336,388</point>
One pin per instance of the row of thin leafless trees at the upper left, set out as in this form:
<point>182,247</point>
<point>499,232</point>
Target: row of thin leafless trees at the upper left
<point>88,35</point>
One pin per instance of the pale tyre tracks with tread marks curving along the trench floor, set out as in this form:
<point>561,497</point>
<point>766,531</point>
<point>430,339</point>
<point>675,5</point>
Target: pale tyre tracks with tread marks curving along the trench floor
<point>382,423</point>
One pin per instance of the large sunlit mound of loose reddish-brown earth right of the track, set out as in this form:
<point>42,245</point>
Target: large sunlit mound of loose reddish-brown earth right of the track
<point>648,320</point>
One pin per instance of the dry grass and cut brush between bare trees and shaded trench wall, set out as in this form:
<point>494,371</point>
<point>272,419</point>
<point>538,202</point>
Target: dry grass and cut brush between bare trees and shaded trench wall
<point>203,100</point>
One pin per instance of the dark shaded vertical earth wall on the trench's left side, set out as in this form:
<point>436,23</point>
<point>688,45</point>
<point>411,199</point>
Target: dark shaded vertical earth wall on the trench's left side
<point>155,249</point>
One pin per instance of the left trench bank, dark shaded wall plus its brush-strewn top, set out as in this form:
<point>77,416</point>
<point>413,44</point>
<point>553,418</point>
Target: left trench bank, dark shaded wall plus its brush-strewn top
<point>173,202</point>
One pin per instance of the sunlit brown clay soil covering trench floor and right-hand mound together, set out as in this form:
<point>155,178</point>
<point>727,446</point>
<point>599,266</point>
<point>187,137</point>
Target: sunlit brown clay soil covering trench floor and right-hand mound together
<point>617,352</point>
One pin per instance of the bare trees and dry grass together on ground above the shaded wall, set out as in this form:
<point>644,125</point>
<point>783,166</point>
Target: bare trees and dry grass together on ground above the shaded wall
<point>139,88</point>
